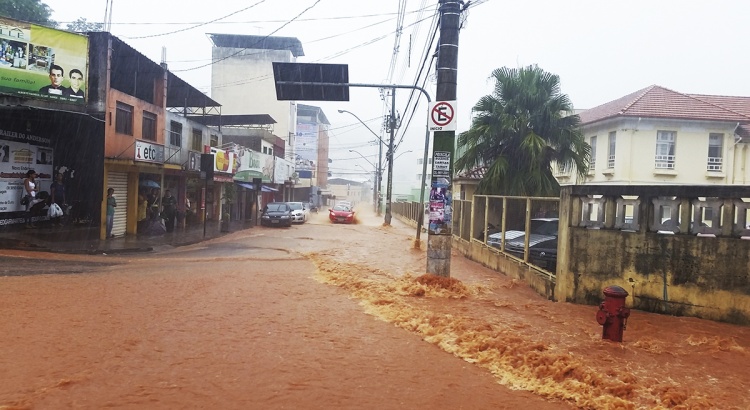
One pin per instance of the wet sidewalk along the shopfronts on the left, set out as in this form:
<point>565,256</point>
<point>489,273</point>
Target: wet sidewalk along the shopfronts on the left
<point>85,239</point>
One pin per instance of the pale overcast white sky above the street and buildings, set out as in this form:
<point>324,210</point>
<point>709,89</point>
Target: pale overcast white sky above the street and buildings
<point>602,50</point>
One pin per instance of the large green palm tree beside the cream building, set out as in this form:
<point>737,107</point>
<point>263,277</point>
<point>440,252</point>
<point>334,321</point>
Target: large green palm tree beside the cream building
<point>519,131</point>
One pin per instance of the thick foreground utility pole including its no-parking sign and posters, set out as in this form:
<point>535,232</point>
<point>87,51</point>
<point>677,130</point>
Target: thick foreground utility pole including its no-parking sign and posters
<point>442,115</point>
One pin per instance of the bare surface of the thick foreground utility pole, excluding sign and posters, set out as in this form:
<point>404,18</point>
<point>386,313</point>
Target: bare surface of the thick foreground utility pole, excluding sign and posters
<point>439,243</point>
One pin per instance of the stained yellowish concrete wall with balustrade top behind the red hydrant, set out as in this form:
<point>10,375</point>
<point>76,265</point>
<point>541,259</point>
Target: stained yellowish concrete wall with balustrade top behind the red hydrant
<point>674,273</point>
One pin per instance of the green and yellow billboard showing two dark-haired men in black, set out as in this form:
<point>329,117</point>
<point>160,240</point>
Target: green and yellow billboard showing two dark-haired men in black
<point>43,63</point>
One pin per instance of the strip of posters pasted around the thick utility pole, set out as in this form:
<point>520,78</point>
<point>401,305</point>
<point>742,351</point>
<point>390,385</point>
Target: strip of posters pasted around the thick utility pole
<point>441,197</point>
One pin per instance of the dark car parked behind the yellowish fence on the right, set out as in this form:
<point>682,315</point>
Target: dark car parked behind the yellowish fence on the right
<point>542,245</point>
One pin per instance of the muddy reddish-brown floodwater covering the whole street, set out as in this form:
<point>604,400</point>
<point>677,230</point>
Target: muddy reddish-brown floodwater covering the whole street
<point>326,316</point>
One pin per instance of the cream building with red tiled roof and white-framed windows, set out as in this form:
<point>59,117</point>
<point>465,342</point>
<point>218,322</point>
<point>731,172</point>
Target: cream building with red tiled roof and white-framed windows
<point>659,136</point>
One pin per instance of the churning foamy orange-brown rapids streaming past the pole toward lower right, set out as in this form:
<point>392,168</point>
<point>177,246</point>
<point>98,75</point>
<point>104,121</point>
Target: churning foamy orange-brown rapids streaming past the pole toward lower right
<point>515,358</point>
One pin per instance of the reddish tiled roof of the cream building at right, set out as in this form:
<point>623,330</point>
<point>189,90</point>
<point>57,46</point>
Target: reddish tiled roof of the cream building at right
<point>660,102</point>
